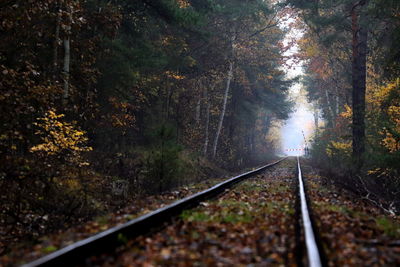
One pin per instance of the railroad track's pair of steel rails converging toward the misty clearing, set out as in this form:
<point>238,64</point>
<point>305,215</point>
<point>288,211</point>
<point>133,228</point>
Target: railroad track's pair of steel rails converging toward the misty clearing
<point>307,248</point>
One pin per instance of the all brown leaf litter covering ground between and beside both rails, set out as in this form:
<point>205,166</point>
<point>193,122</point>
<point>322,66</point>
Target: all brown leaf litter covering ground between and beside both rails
<point>252,225</point>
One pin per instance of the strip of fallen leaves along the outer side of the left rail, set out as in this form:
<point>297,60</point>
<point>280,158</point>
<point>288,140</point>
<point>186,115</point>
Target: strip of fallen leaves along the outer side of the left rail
<point>27,250</point>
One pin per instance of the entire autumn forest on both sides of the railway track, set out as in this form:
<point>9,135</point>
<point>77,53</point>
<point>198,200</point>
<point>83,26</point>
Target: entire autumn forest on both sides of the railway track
<point>154,95</point>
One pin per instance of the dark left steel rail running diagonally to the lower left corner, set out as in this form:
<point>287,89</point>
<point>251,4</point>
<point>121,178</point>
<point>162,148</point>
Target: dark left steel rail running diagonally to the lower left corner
<point>113,237</point>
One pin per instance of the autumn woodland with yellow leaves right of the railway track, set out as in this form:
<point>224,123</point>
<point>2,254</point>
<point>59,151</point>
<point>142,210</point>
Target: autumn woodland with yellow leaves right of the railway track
<point>351,63</point>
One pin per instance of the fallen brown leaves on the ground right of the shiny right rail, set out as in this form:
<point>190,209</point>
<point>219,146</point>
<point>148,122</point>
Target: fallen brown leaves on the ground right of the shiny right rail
<point>353,231</point>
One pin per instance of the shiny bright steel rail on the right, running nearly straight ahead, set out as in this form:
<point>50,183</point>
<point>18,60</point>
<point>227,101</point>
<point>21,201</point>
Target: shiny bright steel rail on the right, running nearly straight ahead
<point>313,254</point>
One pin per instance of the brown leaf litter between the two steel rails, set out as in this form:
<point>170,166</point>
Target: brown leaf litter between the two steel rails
<point>250,225</point>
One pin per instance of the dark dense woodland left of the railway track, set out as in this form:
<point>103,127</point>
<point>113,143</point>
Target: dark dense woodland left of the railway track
<point>147,92</point>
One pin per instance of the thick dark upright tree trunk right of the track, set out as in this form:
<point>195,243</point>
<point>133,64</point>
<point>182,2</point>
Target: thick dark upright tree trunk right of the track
<point>360,37</point>
